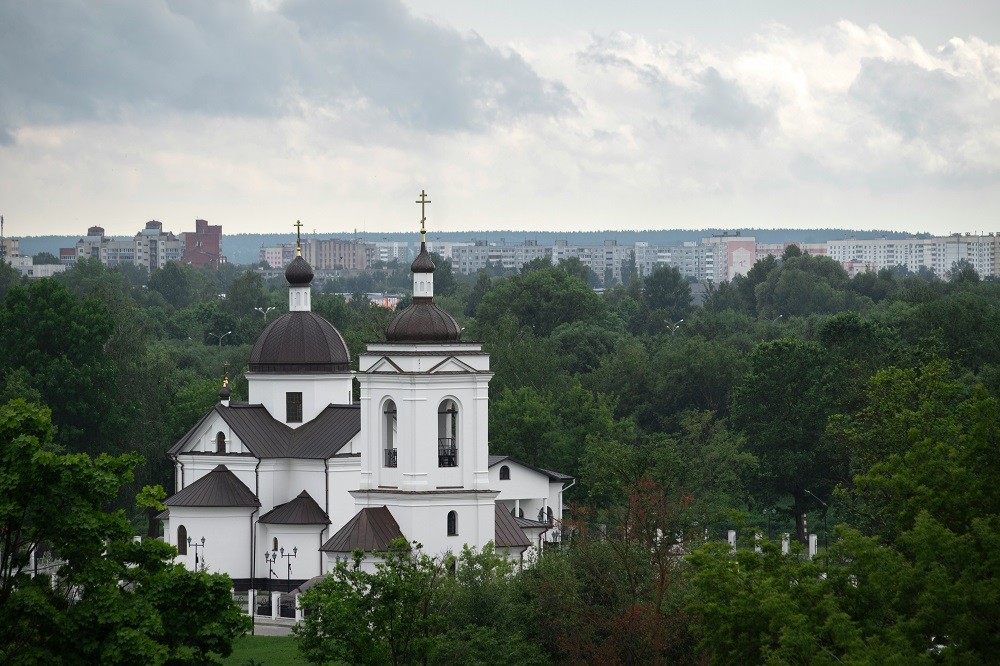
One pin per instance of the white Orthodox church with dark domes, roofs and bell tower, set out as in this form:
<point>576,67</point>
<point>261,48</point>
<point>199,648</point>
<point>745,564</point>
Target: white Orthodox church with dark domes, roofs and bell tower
<point>276,490</point>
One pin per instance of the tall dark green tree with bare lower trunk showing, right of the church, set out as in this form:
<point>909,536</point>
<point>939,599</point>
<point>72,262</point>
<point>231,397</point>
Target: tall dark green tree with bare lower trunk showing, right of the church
<point>782,406</point>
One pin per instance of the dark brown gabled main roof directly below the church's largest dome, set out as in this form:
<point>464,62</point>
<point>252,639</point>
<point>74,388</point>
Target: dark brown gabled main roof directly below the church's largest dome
<point>266,437</point>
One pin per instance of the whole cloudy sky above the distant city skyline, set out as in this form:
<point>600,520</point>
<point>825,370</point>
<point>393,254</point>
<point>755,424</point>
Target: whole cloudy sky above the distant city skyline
<point>541,115</point>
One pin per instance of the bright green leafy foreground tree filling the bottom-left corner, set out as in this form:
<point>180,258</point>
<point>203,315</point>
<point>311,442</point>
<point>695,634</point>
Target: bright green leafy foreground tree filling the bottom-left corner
<point>104,598</point>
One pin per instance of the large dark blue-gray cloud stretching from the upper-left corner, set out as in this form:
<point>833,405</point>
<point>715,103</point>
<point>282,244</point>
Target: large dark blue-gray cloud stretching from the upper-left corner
<point>98,60</point>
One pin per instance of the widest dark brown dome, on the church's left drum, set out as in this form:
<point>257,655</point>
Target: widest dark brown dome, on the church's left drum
<point>300,341</point>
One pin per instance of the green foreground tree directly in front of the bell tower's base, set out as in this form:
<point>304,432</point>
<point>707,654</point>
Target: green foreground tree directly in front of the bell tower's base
<point>382,617</point>
